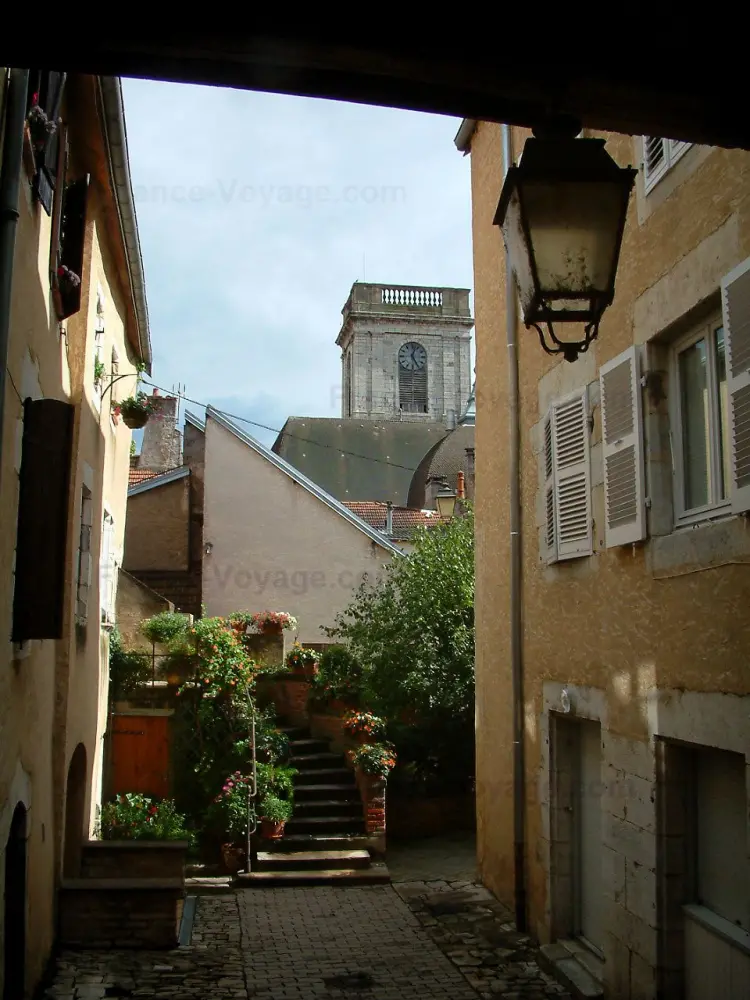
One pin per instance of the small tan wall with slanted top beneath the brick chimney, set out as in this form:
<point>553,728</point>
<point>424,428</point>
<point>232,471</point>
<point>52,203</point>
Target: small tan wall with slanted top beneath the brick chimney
<point>157,530</point>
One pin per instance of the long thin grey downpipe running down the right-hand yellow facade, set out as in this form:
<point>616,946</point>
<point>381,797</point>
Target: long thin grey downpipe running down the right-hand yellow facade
<point>516,611</point>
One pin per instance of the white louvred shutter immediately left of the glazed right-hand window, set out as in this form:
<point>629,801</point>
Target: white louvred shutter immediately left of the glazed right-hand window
<point>622,436</point>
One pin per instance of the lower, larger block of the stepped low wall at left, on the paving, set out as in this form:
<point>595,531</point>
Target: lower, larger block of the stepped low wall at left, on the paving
<point>120,913</point>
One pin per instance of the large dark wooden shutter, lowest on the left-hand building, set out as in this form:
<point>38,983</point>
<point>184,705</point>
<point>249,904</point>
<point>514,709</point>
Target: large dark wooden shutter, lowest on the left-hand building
<point>38,600</point>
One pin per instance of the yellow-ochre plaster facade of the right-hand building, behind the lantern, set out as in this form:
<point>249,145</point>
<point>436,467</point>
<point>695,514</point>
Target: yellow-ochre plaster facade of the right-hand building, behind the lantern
<point>627,630</point>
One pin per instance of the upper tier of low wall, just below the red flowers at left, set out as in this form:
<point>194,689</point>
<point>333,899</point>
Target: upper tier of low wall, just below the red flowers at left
<point>133,859</point>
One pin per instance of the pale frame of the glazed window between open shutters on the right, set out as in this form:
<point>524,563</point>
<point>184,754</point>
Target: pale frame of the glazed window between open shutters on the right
<point>715,508</point>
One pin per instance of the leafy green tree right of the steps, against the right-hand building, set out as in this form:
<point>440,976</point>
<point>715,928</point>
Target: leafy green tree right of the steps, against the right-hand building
<point>413,633</point>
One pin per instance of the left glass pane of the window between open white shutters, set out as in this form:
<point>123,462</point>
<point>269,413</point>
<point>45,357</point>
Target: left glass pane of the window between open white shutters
<point>695,425</point>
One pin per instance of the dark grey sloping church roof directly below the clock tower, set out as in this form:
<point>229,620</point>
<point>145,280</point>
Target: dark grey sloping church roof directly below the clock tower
<point>354,459</point>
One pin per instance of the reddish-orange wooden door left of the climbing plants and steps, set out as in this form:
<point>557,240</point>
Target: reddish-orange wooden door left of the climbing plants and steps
<point>140,754</point>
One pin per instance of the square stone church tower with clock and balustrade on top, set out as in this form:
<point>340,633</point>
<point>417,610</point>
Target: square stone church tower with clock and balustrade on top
<point>405,353</point>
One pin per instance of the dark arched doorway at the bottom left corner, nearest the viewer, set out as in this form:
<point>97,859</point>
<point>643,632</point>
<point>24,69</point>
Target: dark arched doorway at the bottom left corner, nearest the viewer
<point>15,907</point>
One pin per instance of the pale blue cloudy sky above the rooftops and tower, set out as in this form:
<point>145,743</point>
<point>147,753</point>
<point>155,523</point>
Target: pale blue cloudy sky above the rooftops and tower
<point>256,214</point>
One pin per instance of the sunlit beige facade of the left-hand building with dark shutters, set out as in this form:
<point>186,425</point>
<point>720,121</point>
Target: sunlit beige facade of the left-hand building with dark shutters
<point>53,691</point>
